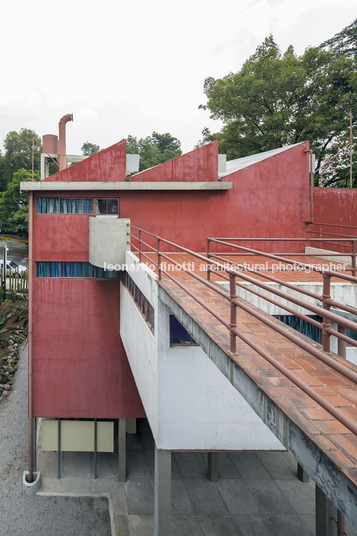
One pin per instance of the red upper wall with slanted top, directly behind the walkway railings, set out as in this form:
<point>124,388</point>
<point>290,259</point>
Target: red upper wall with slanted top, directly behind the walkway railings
<point>269,199</point>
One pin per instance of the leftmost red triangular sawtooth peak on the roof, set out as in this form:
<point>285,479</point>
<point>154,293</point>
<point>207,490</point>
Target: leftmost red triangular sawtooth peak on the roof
<point>107,165</point>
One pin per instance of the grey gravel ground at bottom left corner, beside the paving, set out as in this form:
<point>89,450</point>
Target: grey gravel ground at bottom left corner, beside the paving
<point>38,516</point>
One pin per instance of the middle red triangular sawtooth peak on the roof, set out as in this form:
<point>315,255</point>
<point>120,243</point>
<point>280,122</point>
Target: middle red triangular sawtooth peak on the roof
<point>198,165</point>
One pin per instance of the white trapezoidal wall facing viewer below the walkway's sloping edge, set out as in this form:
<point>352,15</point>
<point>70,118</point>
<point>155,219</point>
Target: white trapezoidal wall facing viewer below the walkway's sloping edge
<point>199,409</point>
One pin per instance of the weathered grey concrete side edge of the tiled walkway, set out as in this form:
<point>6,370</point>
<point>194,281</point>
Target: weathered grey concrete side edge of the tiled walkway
<point>330,479</point>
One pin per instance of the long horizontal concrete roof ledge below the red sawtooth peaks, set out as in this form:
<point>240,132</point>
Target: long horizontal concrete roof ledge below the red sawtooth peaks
<point>66,186</point>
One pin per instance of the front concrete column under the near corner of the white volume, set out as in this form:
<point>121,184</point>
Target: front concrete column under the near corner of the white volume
<point>162,495</point>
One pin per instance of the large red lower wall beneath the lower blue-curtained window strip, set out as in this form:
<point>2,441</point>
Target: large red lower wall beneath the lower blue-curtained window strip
<point>80,368</point>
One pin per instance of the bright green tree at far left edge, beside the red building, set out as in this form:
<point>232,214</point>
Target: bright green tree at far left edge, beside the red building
<point>14,204</point>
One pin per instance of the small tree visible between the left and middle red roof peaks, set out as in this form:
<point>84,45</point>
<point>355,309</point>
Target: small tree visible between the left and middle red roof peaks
<point>154,149</point>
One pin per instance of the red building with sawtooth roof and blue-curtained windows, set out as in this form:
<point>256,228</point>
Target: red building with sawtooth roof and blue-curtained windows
<point>78,364</point>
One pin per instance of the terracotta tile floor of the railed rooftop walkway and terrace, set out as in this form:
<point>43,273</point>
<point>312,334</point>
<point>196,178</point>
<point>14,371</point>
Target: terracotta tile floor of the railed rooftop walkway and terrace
<point>323,429</point>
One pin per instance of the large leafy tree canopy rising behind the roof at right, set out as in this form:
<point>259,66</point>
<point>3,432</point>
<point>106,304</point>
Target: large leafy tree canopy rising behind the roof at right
<point>281,98</point>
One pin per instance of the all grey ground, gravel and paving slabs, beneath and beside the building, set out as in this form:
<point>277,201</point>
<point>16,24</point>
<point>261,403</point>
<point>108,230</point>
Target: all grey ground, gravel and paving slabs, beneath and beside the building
<point>258,494</point>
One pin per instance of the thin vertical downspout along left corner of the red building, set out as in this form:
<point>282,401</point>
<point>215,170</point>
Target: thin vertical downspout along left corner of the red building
<point>30,397</point>
